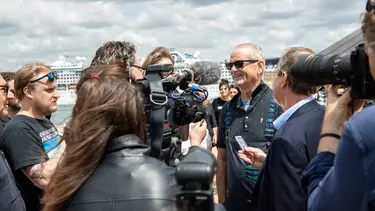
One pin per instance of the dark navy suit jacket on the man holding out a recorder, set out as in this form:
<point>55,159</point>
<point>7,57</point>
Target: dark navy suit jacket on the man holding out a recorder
<point>295,144</point>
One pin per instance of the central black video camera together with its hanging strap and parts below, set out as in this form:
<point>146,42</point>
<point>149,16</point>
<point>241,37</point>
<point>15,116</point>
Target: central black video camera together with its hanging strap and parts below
<point>167,110</point>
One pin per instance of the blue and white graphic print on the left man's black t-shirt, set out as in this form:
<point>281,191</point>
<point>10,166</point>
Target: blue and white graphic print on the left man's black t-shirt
<point>50,139</point>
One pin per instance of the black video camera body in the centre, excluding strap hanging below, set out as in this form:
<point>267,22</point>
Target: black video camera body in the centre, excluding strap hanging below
<point>185,107</point>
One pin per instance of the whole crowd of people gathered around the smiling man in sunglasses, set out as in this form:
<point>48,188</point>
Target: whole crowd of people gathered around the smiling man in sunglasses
<point>299,155</point>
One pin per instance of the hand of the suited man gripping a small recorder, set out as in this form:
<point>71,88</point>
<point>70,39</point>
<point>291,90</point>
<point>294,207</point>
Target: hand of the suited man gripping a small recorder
<point>253,156</point>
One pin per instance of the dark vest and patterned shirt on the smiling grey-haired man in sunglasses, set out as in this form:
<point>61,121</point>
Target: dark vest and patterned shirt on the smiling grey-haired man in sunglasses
<point>252,125</point>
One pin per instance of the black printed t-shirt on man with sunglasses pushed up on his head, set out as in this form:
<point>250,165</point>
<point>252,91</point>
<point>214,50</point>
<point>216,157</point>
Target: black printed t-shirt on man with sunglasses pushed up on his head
<point>25,141</point>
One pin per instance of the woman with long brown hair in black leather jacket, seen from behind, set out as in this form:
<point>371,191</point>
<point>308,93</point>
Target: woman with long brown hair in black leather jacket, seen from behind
<point>105,165</point>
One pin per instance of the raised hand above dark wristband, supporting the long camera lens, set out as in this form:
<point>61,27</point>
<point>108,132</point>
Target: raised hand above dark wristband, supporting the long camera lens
<point>339,109</point>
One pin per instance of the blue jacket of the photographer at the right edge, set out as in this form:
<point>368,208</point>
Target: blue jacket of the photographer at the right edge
<point>346,181</point>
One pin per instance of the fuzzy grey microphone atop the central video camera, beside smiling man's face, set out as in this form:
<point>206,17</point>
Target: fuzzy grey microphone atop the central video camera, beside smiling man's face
<point>205,73</point>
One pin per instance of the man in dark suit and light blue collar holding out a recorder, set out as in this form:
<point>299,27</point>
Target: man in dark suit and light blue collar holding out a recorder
<point>295,143</point>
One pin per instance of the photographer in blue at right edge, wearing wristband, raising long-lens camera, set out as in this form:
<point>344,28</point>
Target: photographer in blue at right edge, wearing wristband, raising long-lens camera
<point>341,176</point>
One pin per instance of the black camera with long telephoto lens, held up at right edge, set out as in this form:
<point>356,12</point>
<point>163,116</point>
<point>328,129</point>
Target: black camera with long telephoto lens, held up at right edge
<point>347,69</point>
